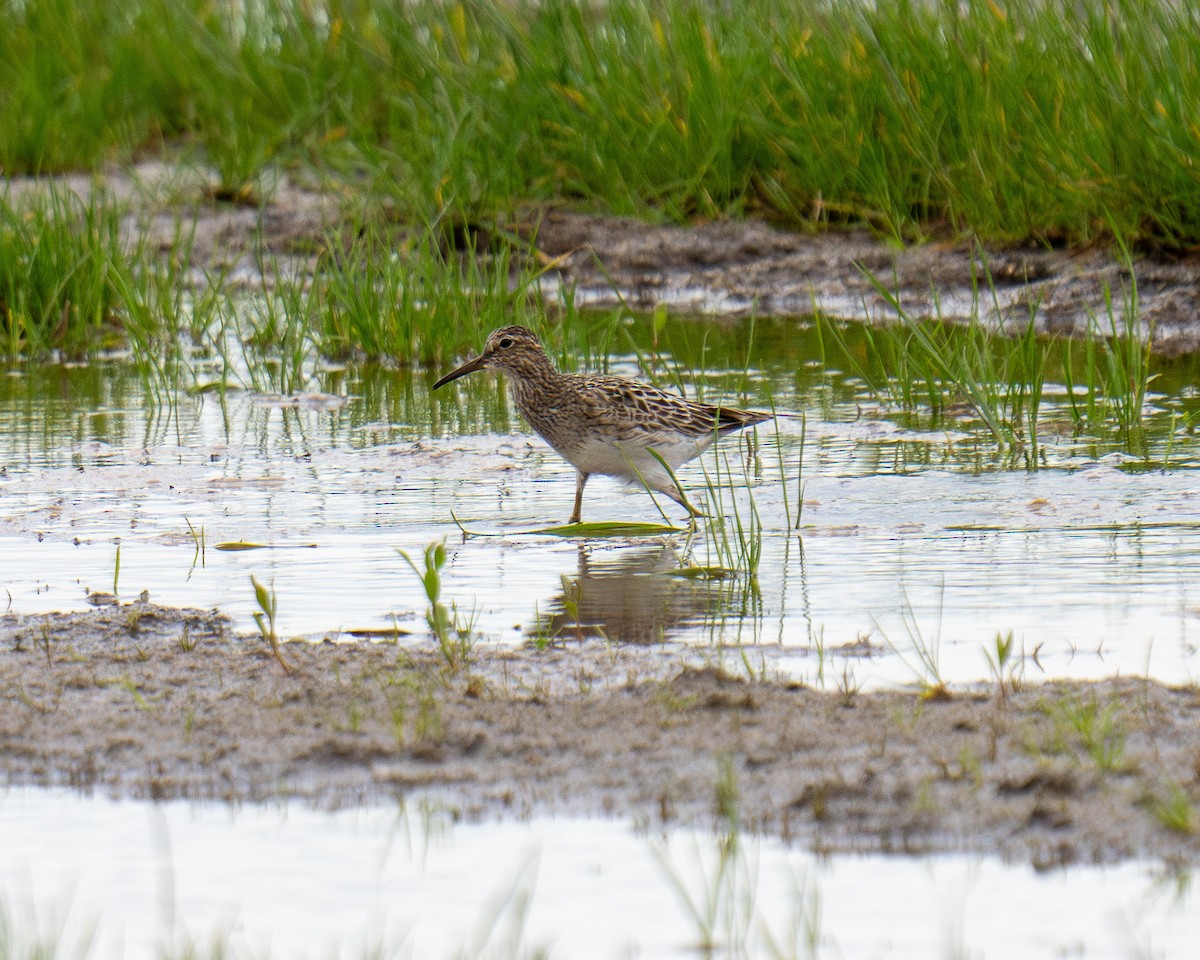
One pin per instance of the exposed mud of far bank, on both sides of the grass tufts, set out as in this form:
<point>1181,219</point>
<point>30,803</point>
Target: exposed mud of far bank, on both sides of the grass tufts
<point>723,268</point>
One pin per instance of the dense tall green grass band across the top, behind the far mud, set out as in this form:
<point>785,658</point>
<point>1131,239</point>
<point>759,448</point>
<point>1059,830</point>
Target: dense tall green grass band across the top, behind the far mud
<point>1057,122</point>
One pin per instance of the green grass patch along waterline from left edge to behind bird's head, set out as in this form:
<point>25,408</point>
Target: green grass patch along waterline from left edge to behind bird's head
<point>70,287</point>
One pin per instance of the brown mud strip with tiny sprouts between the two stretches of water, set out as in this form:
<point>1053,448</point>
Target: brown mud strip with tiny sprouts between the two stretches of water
<point>141,700</point>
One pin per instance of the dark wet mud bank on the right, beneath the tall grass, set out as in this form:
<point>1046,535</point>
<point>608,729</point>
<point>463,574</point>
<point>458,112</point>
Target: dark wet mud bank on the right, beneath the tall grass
<point>747,268</point>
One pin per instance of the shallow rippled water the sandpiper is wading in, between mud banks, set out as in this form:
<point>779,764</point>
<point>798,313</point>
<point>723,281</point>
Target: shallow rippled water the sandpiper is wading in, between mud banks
<point>915,535</point>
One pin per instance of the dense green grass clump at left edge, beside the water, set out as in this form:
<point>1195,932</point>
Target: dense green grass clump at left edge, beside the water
<point>62,275</point>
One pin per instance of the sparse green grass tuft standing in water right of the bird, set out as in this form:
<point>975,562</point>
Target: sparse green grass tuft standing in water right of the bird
<point>999,369</point>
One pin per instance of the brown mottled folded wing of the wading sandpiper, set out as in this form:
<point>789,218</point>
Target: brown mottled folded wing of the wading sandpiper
<point>635,410</point>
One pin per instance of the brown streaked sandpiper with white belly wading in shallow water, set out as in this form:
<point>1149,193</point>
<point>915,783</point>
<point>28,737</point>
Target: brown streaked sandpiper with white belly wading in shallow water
<point>608,425</point>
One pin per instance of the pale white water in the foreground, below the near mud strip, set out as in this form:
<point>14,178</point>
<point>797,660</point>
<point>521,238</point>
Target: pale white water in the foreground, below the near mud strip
<point>291,881</point>
